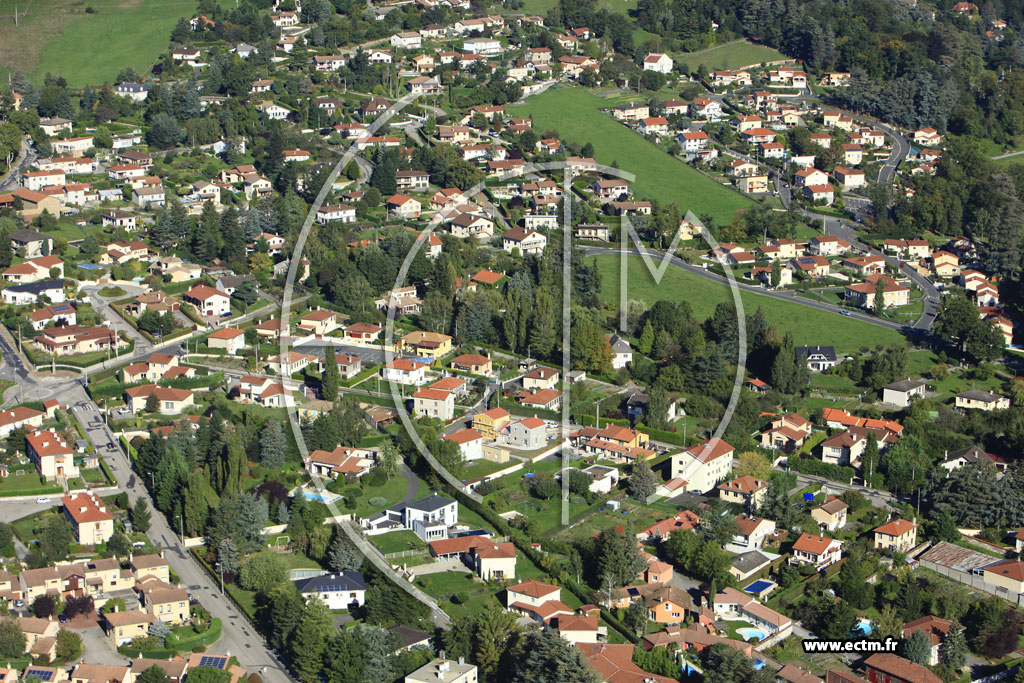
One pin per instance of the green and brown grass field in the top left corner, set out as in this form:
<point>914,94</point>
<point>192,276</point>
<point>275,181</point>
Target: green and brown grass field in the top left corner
<point>54,36</point>
